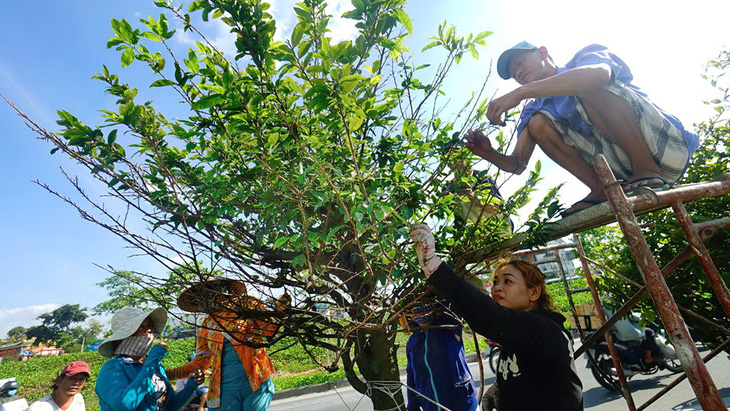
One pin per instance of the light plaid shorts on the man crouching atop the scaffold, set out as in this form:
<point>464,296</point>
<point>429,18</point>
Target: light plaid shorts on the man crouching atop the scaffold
<point>666,142</point>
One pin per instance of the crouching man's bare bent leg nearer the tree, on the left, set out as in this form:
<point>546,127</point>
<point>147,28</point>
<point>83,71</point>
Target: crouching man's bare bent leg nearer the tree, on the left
<point>543,131</point>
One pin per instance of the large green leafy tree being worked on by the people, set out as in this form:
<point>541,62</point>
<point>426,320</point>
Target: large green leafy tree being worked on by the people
<point>296,168</point>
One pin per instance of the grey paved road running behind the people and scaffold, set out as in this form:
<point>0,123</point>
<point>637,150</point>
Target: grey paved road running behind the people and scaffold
<point>595,397</point>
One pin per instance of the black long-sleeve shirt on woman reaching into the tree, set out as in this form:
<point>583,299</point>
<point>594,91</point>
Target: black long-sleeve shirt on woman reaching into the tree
<point>536,368</point>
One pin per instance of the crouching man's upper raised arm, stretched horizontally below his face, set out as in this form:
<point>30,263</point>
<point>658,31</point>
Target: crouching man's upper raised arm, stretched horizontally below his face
<point>571,82</point>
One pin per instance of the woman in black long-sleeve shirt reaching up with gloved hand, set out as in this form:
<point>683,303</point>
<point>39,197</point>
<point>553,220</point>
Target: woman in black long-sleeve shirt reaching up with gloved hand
<point>536,368</point>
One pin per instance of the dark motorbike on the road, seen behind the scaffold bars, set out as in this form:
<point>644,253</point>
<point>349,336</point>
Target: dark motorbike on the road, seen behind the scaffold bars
<point>631,356</point>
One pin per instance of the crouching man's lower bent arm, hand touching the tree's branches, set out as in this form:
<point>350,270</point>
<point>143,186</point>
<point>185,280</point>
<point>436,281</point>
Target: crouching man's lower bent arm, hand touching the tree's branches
<point>515,162</point>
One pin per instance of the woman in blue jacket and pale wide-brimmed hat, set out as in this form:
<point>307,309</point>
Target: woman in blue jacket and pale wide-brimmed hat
<point>134,378</point>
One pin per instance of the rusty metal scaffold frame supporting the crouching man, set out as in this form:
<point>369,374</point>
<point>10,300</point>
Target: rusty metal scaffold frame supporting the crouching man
<point>622,209</point>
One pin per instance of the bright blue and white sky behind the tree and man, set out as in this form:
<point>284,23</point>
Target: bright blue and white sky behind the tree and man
<point>49,51</point>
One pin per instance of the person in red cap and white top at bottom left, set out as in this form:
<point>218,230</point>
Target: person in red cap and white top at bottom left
<point>66,393</point>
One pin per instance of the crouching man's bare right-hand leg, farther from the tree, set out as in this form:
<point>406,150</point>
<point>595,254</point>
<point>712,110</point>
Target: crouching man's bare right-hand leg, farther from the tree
<point>615,117</point>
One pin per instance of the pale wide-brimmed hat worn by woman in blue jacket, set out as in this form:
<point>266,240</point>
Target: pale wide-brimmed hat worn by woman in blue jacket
<point>126,322</point>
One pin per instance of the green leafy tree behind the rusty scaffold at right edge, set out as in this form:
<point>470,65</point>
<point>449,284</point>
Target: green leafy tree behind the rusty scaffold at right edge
<point>690,287</point>
